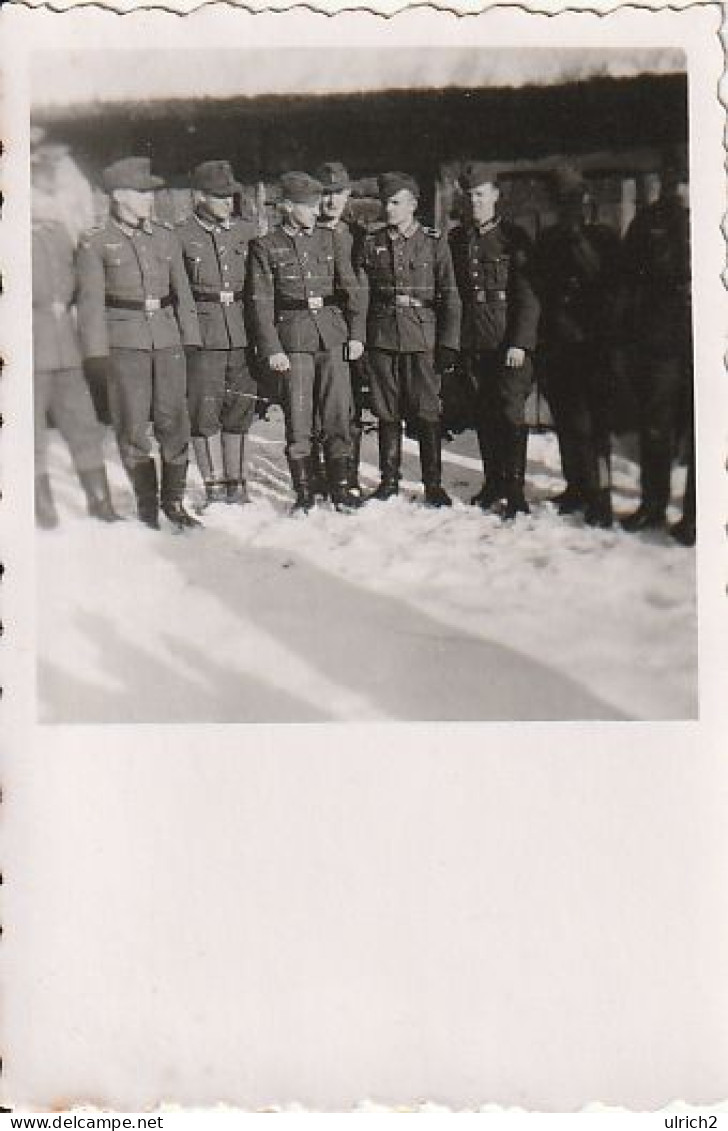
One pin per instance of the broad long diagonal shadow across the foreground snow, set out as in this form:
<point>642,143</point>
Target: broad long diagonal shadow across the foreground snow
<point>405,663</point>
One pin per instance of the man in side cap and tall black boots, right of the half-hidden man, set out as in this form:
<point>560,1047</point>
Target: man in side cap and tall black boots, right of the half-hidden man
<point>413,332</point>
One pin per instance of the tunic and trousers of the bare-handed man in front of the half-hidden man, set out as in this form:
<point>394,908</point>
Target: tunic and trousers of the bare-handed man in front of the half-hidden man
<point>305,300</point>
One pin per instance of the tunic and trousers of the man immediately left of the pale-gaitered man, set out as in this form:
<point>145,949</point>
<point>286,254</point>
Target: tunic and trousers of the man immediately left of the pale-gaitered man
<point>137,308</point>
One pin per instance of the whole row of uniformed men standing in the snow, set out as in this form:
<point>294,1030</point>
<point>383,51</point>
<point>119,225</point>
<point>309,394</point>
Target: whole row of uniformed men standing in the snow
<point>174,325</point>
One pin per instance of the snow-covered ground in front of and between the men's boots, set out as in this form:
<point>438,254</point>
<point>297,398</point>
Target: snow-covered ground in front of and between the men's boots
<point>394,614</point>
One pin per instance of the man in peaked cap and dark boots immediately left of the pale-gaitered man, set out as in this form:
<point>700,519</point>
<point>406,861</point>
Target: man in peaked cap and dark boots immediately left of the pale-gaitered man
<point>136,317</point>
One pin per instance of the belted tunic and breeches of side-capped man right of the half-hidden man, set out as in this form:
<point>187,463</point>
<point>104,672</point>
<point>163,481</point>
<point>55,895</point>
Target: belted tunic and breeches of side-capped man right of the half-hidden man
<point>414,307</point>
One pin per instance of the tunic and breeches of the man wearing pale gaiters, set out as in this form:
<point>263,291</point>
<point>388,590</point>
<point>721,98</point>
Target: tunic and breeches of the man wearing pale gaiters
<point>221,390</point>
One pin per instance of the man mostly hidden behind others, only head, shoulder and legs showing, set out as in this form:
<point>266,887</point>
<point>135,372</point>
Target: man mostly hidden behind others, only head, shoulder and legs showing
<point>337,189</point>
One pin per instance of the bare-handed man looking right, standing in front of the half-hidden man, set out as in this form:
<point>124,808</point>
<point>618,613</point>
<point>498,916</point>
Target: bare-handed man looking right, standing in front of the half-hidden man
<point>307,310</point>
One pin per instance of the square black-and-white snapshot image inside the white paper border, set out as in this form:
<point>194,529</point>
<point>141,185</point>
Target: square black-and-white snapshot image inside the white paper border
<point>401,344</point>
